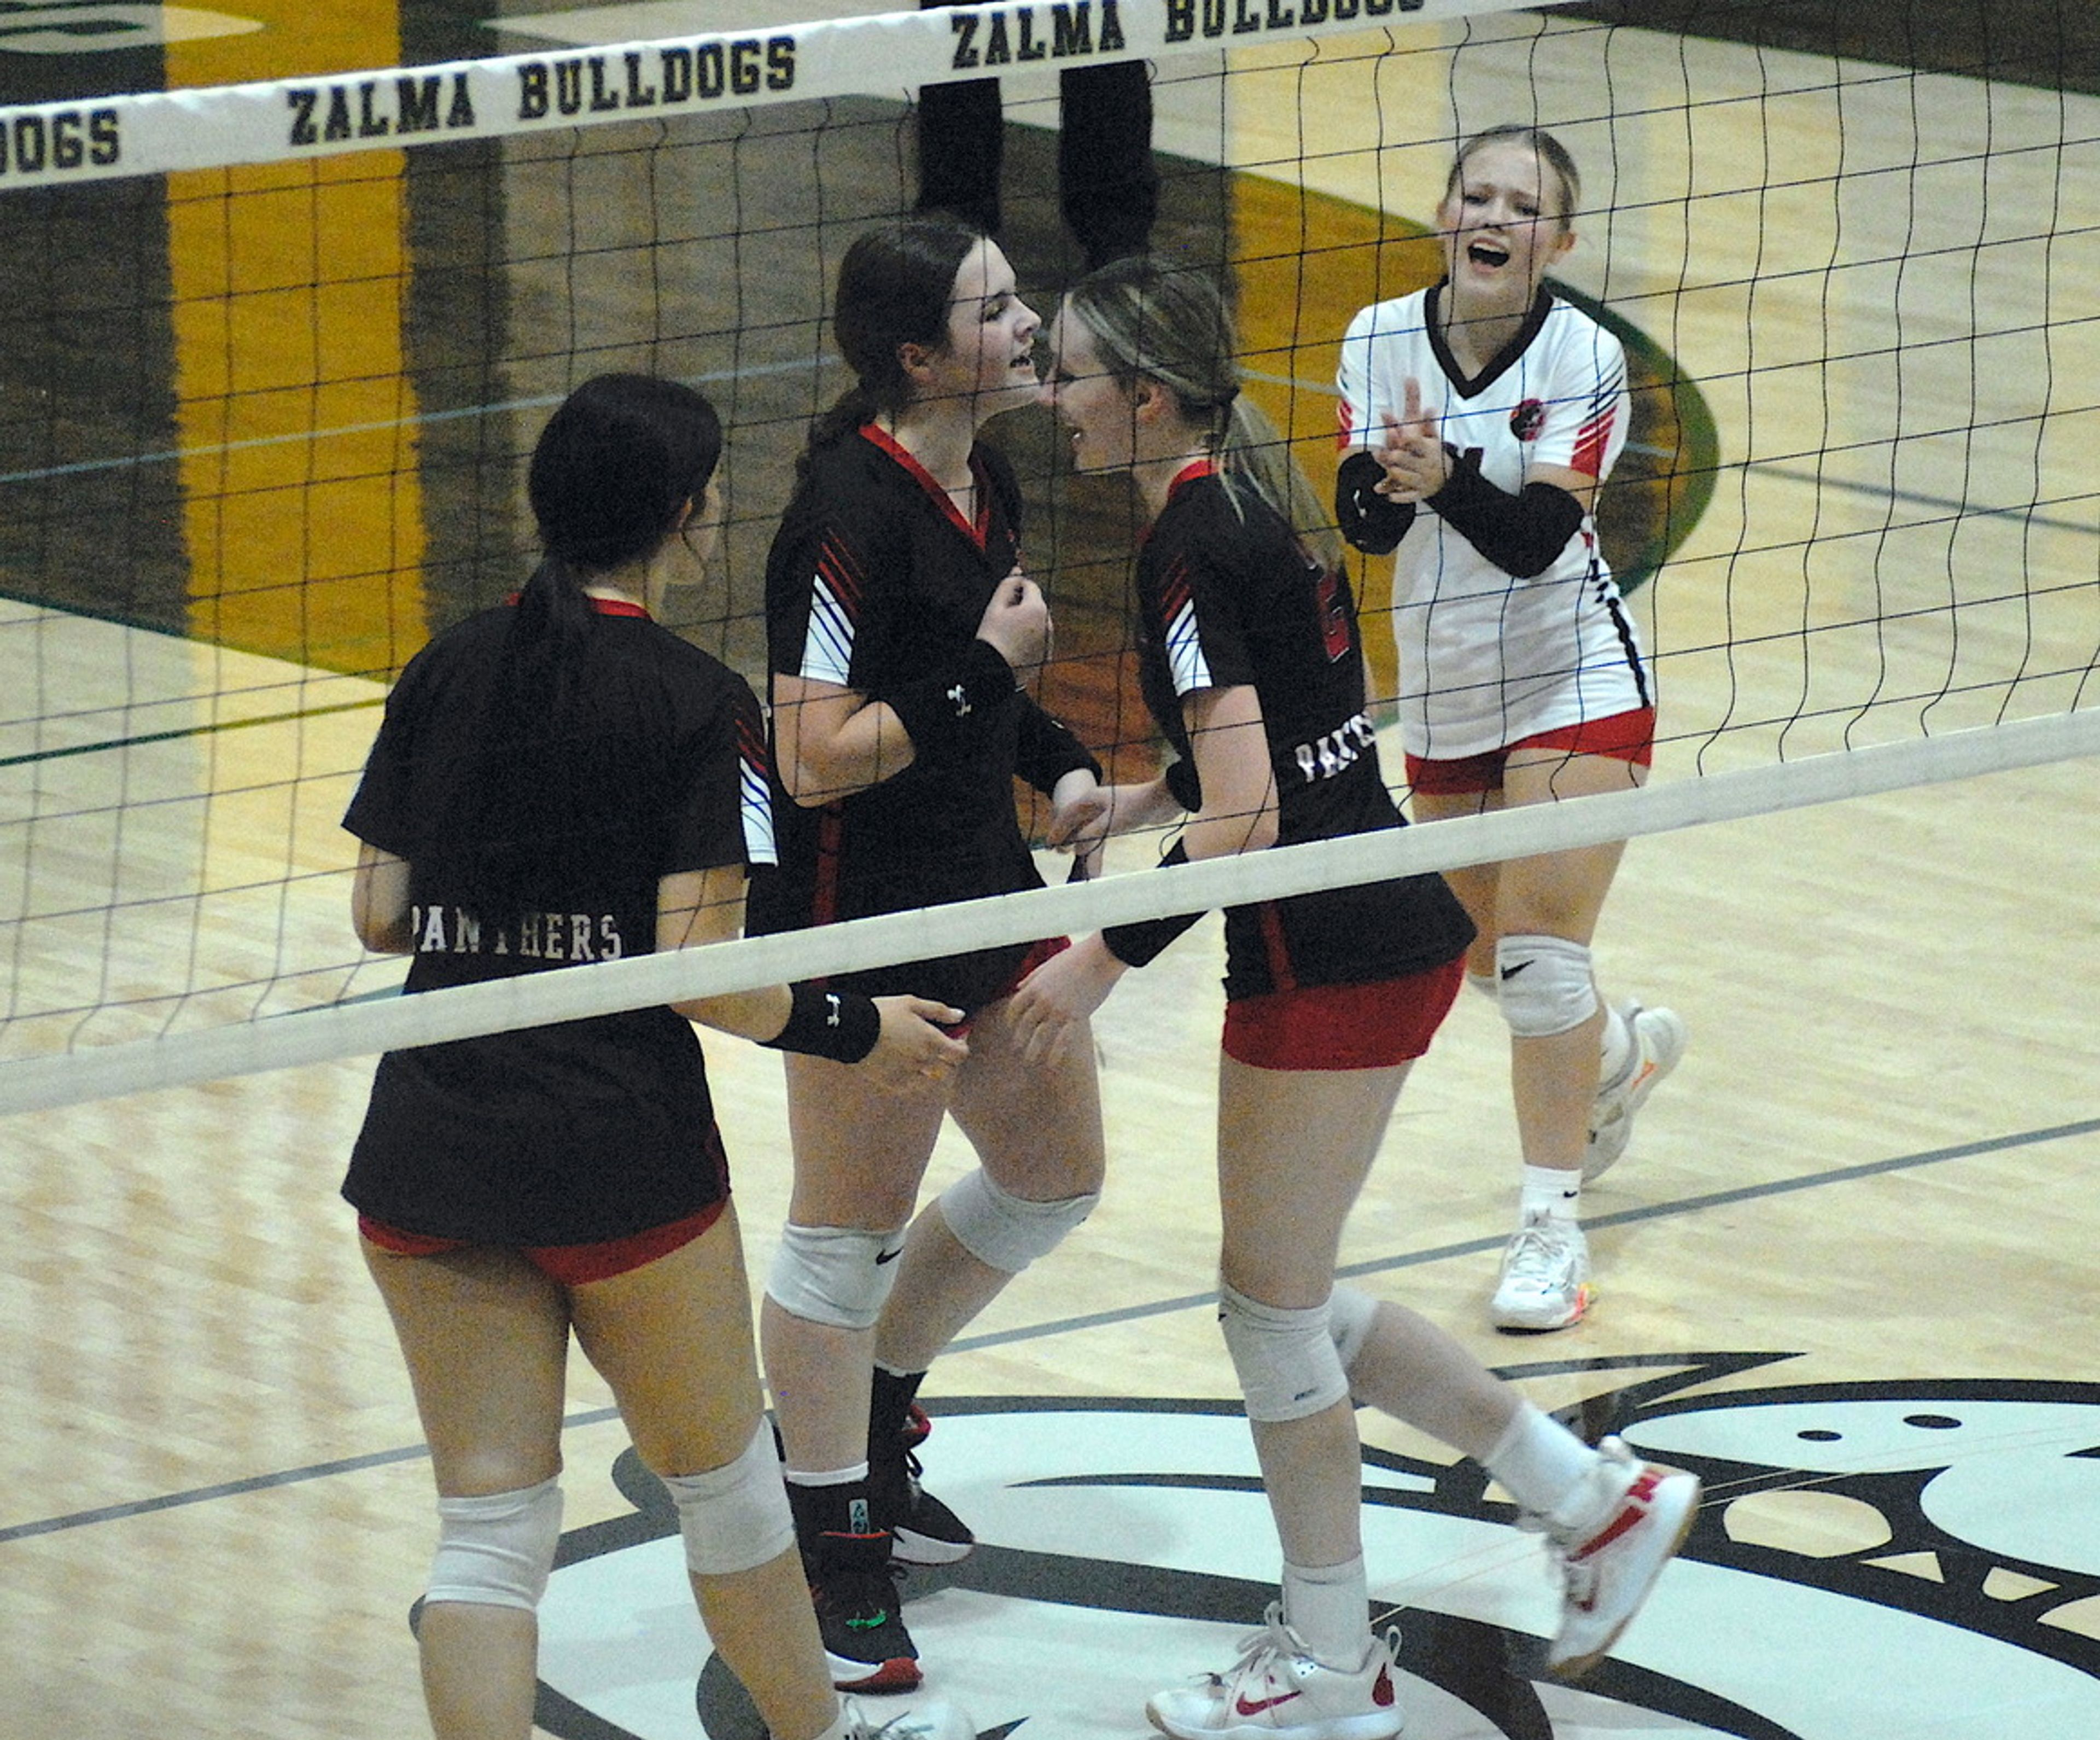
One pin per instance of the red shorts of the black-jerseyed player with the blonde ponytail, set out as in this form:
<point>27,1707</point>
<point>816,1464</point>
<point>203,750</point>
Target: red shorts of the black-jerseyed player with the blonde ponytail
<point>1372,1027</point>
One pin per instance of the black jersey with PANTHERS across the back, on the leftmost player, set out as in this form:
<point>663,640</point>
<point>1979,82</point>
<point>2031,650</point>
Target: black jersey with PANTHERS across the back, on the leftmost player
<point>589,1130</point>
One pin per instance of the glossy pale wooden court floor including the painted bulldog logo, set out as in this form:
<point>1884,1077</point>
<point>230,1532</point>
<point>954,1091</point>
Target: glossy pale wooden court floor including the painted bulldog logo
<point>1849,1268</point>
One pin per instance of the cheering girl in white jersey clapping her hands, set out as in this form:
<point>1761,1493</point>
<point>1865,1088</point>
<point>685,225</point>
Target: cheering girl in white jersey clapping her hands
<point>1479,421</point>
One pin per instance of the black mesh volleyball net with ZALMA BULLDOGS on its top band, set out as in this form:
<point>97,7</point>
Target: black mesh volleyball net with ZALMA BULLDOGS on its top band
<point>278,354</point>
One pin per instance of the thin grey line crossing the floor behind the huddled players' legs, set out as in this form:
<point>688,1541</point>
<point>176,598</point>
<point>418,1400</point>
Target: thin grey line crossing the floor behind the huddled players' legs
<point>1414,1260</point>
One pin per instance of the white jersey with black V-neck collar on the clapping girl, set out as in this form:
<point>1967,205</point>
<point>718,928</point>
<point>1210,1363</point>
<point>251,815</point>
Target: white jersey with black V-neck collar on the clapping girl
<point>1488,659</point>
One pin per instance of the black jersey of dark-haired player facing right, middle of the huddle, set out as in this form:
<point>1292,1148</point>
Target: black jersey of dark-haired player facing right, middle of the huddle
<point>875,583</point>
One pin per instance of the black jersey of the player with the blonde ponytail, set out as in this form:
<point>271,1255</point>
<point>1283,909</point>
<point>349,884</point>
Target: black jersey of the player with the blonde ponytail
<point>1230,598</point>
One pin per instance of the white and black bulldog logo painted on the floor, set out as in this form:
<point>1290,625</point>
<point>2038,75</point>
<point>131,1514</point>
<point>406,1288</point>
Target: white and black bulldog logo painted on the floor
<point>1941,1575</point>
